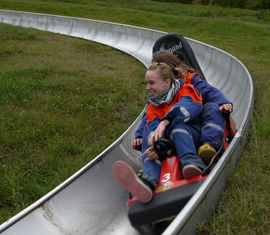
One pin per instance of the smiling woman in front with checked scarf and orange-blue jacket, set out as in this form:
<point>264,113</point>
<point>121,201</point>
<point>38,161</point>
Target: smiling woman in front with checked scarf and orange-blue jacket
<point>173,111</point>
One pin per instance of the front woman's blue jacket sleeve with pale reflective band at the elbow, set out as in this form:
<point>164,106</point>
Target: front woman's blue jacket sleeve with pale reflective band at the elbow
<point>184,111</point>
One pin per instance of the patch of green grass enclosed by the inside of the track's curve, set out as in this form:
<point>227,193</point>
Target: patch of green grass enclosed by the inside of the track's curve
<point>62,100</point>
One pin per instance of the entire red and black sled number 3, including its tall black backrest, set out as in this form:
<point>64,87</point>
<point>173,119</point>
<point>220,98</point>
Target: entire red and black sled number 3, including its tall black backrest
<point>173,191</point>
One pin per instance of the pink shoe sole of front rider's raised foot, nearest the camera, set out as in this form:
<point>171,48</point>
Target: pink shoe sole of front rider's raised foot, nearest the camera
<point>128,179</point>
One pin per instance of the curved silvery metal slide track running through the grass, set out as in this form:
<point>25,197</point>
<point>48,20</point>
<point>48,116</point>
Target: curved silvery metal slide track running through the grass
<point>90,201</point>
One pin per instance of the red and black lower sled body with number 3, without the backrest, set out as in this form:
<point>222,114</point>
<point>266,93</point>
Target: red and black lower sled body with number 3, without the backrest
<point>173,192</point>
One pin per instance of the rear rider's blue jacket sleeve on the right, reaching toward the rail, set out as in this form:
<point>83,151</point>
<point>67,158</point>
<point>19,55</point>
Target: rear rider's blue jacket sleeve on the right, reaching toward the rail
<point>208,92</point>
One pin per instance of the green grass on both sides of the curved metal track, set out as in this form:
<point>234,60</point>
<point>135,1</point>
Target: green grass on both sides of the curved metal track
<point>50,87</point>
